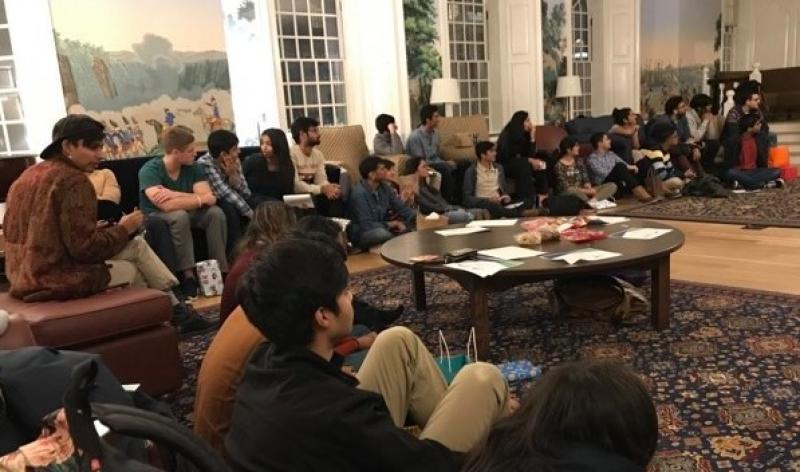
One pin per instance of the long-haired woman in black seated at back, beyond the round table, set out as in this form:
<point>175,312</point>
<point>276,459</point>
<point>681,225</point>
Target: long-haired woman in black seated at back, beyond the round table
<point>516,153</point>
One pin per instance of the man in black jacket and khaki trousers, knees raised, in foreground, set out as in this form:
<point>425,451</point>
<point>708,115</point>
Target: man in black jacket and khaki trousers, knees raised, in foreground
<point>296,409</point>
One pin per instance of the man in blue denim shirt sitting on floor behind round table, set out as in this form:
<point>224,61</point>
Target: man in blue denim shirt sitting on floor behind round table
<point>370,203</point>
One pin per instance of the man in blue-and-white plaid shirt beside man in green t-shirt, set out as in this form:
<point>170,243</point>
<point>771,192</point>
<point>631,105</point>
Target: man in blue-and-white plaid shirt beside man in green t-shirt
<point>224,173</point>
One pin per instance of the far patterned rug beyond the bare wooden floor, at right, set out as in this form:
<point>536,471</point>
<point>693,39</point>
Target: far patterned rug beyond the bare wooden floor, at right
<point>774,207</point>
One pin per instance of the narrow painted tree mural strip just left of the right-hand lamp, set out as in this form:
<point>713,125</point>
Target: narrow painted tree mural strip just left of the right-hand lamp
<point>554,59</point>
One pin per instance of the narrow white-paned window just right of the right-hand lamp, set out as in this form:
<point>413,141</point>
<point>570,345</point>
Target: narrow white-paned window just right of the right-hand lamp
<point>582,56</point>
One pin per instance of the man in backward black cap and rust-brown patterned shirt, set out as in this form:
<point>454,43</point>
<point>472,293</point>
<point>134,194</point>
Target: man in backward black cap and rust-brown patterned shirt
<point>55,248</point>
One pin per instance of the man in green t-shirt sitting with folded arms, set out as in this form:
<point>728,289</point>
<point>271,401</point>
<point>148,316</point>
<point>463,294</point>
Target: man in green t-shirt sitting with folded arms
<point>175,189</point>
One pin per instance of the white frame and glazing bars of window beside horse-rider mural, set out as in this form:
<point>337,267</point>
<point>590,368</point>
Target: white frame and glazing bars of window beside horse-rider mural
<point>338,92</point>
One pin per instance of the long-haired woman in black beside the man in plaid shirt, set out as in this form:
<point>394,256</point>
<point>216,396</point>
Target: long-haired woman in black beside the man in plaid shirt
<point>270,173</point>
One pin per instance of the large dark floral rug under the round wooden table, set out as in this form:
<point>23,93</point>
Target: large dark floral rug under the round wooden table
<point>725,377</point>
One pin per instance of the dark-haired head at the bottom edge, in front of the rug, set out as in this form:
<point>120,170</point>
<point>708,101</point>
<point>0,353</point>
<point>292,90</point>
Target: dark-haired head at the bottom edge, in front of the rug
<point>589,416</point>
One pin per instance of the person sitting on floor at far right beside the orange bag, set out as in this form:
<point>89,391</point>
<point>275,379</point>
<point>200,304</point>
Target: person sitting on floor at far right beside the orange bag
<point>751,171</point>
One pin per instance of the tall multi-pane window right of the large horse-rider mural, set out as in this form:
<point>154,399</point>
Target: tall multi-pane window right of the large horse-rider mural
<point>312,65</point>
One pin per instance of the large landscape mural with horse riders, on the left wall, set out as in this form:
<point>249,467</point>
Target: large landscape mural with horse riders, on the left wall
<point>143,66</point>
